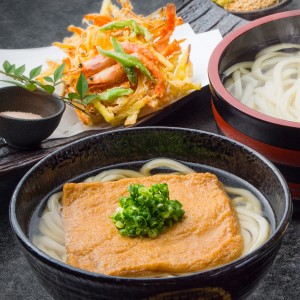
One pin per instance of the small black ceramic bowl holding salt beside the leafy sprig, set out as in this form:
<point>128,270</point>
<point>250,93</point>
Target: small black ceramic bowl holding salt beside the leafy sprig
<point>27,133</point>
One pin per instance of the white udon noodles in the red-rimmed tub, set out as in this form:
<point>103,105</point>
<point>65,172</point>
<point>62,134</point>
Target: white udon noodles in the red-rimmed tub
<point>271,83</point>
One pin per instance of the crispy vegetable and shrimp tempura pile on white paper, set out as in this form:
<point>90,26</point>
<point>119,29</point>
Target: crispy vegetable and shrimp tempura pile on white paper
<point>119,49</point>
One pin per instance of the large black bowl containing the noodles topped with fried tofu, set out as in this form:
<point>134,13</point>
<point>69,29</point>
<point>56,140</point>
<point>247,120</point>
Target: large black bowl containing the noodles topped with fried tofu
<point>128,146</point>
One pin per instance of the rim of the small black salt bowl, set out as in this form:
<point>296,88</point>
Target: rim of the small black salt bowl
<point>61,108</point>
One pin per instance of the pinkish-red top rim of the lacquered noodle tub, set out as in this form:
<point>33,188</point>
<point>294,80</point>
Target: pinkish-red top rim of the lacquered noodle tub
<point>215,80</point>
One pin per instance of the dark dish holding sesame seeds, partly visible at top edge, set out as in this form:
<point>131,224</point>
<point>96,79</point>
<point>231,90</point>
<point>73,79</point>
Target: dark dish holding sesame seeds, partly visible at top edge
<point>255,14</point>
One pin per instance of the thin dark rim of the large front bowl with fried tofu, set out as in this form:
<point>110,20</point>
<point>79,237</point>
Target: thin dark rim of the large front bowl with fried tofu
<point>277,234</point>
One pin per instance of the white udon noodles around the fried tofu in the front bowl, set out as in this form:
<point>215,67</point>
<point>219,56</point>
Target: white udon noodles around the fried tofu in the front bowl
<point>255,228</point>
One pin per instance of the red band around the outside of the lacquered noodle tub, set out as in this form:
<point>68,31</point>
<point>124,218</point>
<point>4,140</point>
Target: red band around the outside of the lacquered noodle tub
<point>275,154</point>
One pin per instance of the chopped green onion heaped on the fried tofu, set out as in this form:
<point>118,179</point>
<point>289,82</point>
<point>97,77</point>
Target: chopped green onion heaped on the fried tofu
<point>146,212</point>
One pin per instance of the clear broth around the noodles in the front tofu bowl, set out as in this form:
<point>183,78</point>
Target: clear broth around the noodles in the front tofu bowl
<point>226,178</point>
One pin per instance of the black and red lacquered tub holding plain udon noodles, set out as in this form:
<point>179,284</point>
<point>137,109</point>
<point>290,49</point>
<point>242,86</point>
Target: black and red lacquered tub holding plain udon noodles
<point>275,138</point>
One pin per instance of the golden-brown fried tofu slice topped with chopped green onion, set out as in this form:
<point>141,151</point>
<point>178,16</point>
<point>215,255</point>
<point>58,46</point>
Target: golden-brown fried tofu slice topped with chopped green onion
<point>208,236</point>
